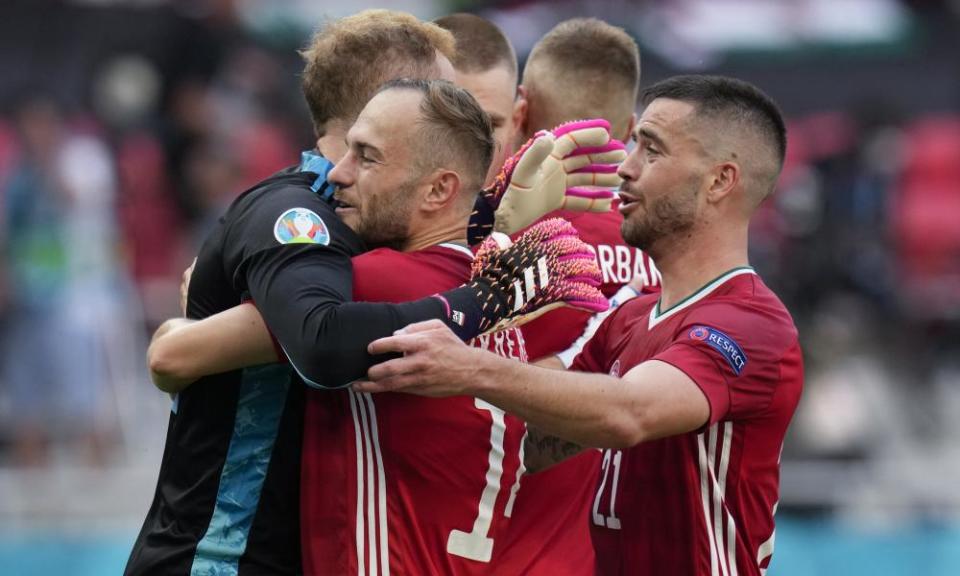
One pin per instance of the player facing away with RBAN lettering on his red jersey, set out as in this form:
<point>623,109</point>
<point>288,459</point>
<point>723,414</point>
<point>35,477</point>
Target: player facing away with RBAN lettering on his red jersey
<point>560,84</point>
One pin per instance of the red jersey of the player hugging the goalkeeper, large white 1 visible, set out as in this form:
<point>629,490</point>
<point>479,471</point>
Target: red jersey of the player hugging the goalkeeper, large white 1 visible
<point>399,484</point>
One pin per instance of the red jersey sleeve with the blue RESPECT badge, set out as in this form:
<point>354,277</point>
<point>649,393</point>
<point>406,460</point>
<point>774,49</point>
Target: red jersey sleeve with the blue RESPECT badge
<point>734,354</point>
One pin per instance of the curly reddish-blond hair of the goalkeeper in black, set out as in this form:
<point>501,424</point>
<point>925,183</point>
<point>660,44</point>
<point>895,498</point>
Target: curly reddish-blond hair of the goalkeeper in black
<point>349,59</point>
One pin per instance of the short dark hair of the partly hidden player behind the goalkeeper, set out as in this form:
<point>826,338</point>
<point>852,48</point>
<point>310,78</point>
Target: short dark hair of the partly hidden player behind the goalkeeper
<point>481,46</point>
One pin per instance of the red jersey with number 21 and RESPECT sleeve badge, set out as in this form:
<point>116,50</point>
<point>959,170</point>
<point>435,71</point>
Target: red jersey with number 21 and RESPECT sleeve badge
<point>700,503</point>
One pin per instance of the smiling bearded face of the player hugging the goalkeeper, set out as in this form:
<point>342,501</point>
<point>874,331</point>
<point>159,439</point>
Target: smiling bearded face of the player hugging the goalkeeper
<point>376,179</point>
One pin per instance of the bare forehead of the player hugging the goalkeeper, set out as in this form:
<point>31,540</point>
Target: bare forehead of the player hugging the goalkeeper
<point>387,117</point>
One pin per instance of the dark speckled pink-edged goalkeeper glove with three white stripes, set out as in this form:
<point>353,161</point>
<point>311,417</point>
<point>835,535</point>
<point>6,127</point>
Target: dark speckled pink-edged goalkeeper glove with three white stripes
<point>547,267</point>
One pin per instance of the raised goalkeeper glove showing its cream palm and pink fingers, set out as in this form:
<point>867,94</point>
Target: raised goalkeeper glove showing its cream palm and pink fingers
<point>573,166</point>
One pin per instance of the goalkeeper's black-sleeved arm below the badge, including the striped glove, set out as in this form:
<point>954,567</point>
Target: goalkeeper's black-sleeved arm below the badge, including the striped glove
<point>303,293</point>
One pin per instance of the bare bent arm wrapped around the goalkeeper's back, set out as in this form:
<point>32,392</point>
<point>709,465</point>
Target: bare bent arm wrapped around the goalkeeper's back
<point>183,350</point>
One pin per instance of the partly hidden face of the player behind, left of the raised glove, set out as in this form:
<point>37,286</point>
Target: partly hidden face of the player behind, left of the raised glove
<point>495,90</point>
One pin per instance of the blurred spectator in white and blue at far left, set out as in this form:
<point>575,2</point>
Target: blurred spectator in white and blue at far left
<point>59,258</point>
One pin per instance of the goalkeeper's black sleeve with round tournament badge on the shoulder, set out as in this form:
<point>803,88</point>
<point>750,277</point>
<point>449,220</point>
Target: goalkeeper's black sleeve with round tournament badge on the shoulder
<point>299,275</point>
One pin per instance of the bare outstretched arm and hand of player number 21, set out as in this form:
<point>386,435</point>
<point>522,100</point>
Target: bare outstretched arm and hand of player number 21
<point>652,400</point>
